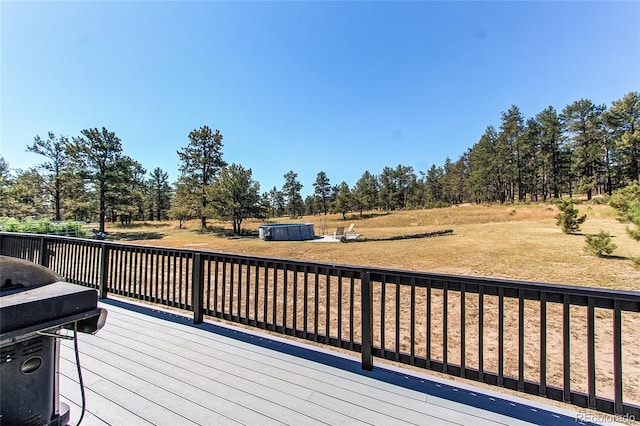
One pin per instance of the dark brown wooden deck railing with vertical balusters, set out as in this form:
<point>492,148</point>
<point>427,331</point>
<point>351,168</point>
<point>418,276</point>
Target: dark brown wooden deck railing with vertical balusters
<point>566,343</point>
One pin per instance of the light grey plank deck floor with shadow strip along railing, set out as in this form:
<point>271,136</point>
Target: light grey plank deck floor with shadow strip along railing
<point>153,367</point>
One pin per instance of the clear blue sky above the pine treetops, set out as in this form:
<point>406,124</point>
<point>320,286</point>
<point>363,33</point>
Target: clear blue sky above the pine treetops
<point>339,87</point>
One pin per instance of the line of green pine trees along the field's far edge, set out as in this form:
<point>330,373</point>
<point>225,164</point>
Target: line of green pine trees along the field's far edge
<point>585,149</point>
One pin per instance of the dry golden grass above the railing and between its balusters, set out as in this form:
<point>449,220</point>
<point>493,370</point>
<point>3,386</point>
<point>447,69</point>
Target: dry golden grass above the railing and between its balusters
<point>516,242</point>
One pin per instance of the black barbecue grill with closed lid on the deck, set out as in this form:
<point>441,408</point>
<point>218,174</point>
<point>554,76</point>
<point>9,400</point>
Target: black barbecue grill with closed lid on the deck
<point>35,304</point>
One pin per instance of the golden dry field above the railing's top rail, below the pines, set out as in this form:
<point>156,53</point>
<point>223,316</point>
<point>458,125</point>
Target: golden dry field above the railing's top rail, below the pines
<point>516,241</point>
